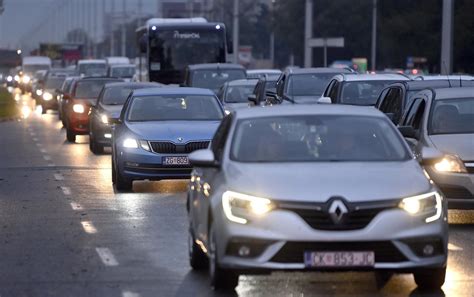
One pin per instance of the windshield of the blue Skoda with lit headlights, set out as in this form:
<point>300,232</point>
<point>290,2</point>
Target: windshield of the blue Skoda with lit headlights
<point>175,108</point>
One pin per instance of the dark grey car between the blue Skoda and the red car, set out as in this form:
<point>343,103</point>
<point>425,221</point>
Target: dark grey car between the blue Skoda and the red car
<point>106,112</point>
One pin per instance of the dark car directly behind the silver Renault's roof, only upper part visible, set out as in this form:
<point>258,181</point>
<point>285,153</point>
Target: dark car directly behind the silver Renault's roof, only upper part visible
<point>303,85</point>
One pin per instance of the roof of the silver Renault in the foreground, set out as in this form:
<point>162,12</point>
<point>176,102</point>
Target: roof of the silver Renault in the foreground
<point>302,109</point>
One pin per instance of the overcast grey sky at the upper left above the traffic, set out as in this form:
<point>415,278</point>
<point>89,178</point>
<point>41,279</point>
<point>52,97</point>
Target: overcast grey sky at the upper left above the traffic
<point>26,22</point>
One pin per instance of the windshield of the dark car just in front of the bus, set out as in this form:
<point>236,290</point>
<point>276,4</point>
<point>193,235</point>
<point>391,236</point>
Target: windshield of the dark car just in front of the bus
<point>214,79</point>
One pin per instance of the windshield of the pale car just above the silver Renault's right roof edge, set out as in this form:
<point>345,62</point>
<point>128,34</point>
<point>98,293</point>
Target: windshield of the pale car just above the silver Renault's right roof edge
<point>362,92</point>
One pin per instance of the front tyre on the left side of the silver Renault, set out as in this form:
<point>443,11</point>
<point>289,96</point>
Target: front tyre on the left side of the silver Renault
<point>221,279</point>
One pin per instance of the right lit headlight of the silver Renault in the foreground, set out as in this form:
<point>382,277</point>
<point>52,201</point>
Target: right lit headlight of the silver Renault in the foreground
<point>430,204</point>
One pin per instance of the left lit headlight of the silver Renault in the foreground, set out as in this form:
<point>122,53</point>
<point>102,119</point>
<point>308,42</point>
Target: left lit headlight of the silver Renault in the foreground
<point>240,207</point>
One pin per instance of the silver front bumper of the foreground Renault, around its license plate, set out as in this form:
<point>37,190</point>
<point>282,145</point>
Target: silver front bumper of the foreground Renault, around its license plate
<point>282,237</point>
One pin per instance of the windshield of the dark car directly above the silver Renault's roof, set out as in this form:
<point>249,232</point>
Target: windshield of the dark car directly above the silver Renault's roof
<point>308,84</point>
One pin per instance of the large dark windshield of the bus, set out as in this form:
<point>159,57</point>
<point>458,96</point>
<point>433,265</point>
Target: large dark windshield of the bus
<point>174,49</point>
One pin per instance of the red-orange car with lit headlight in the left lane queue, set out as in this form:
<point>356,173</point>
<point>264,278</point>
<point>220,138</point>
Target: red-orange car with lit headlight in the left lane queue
<point>77,104</point>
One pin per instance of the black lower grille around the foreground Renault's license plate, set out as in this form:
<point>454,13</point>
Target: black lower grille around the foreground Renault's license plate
<point>293,252</point>
